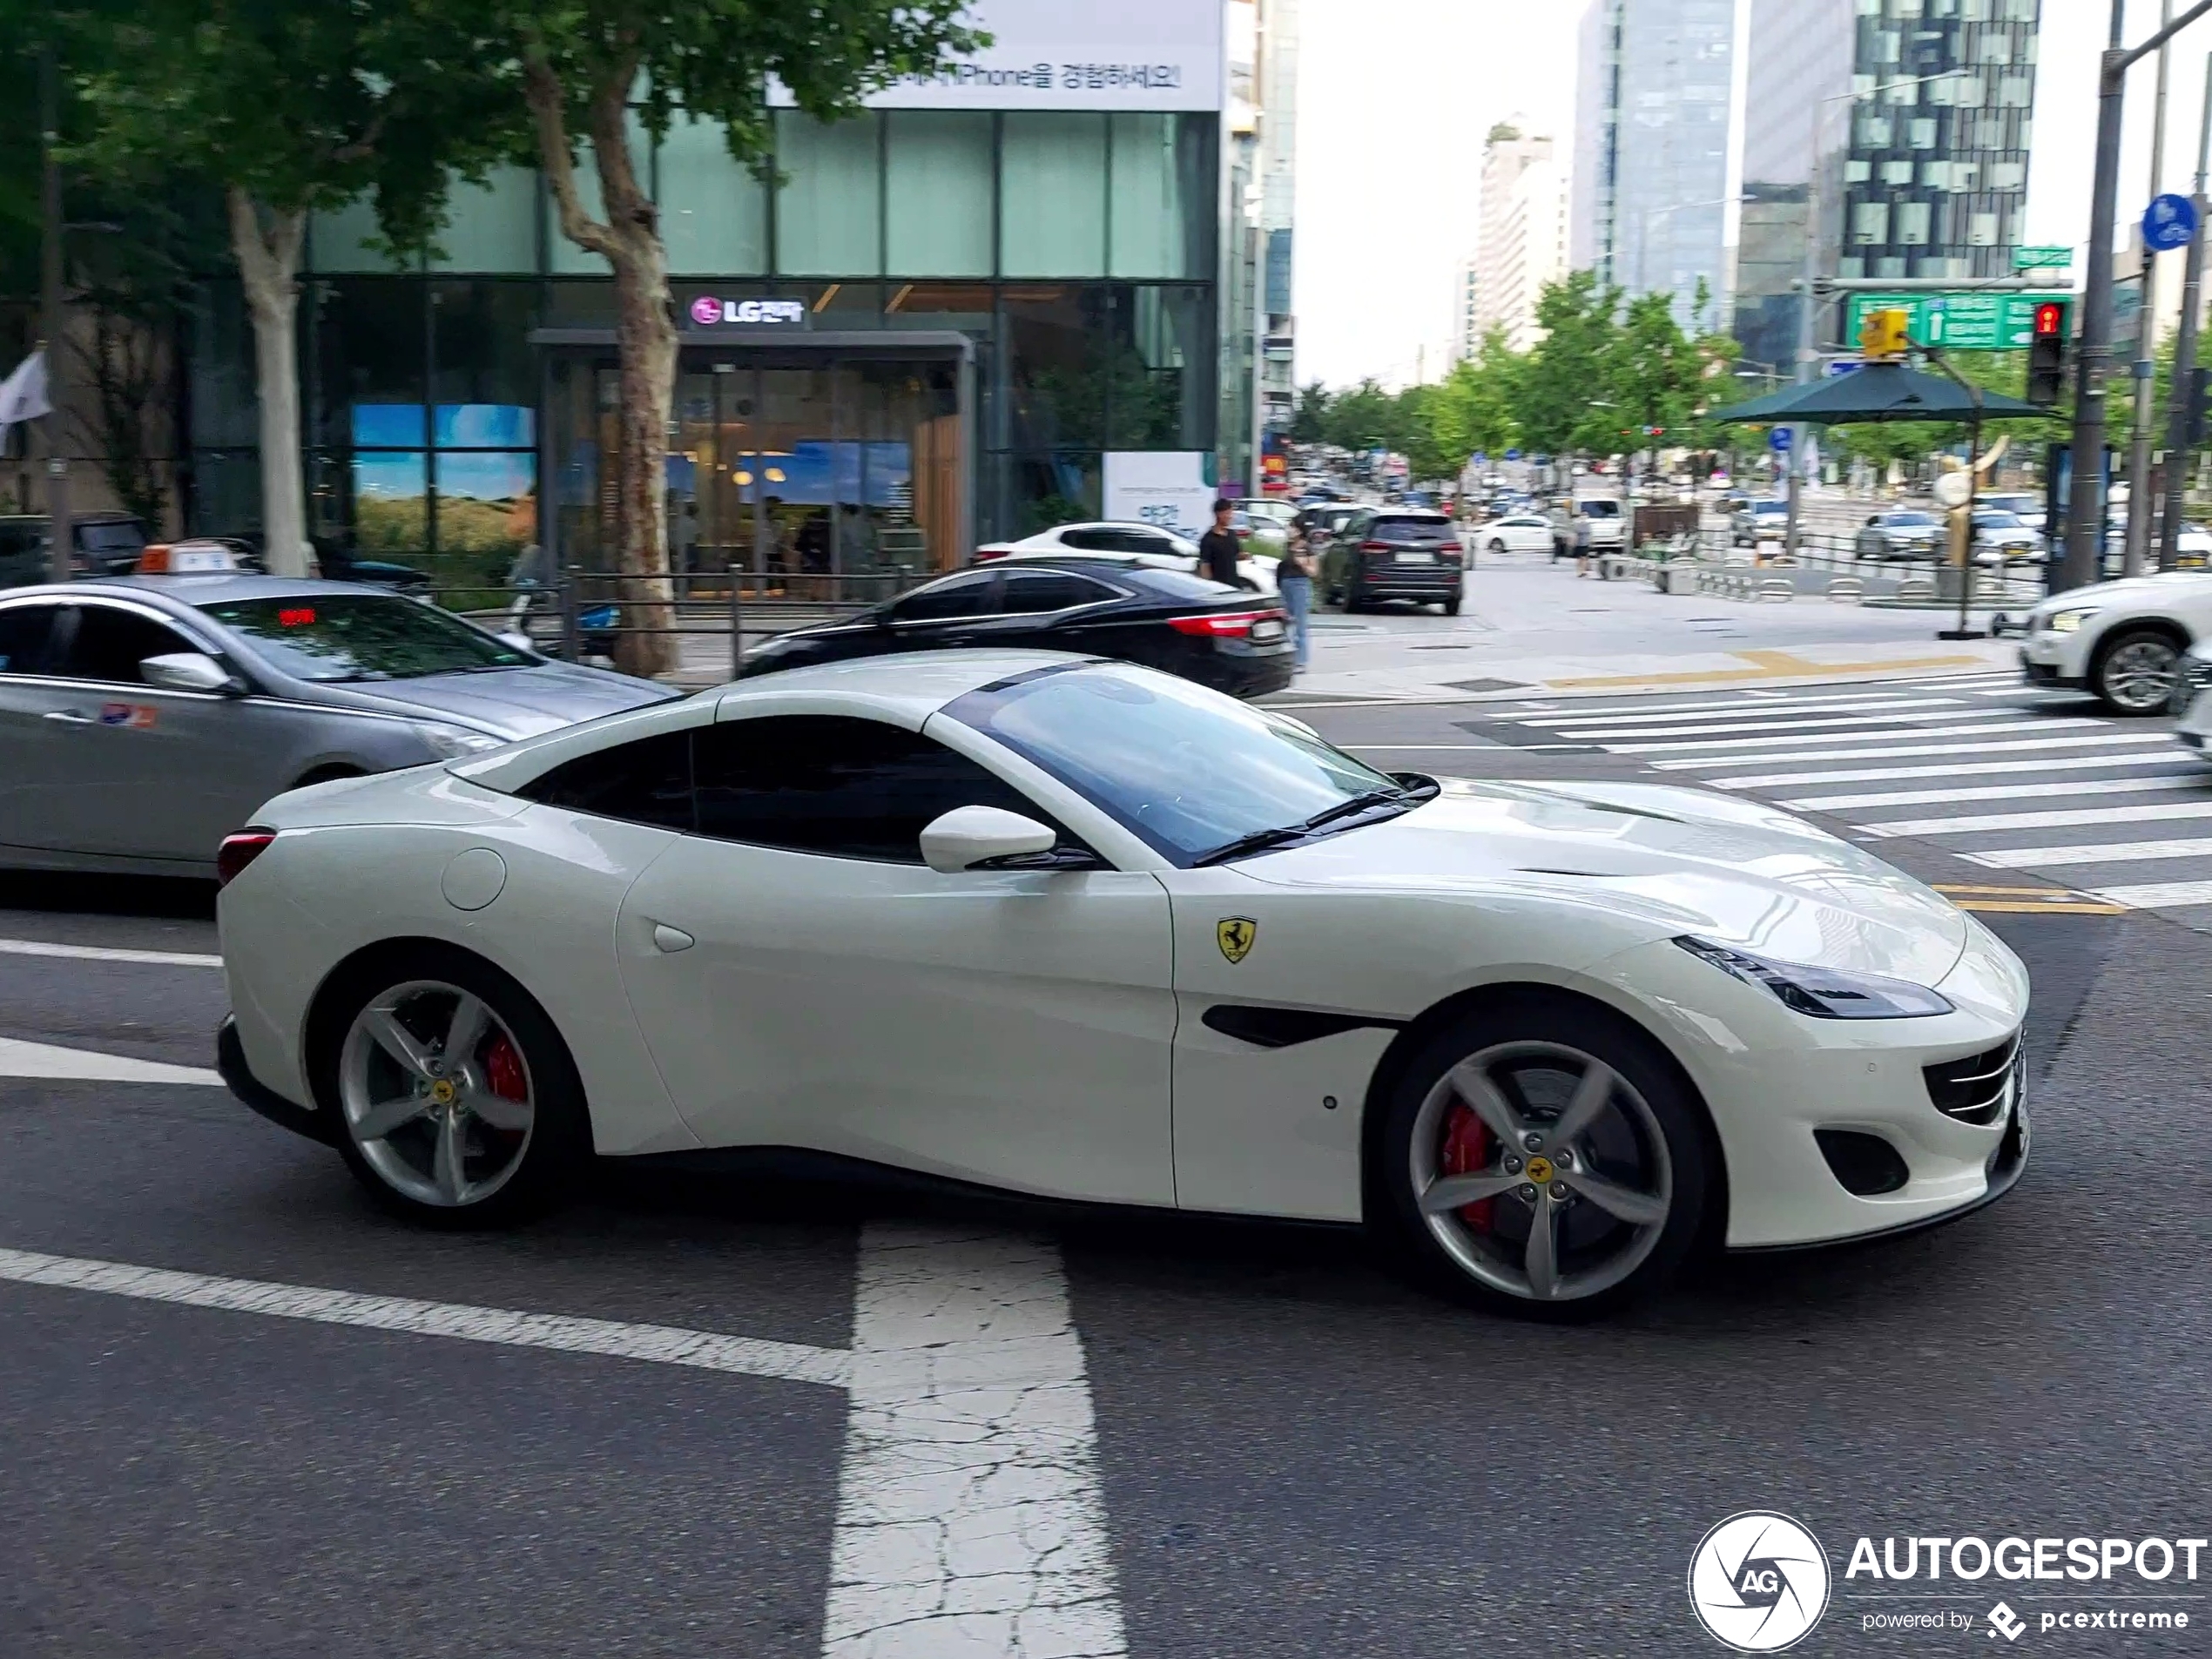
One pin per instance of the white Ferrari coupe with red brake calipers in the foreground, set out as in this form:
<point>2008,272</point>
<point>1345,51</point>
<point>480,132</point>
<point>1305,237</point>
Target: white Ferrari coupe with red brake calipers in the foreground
<point>1081,930</point>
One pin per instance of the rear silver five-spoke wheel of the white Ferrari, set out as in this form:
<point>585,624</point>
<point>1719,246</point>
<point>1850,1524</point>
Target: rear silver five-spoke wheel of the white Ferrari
<point>437,1094</point>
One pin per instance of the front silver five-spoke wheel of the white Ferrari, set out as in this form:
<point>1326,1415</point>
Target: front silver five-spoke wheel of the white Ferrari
<point>1541,1171</point>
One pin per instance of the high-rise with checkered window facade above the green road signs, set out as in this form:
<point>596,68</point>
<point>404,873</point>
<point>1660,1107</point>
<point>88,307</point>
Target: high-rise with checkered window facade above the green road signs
<point>1914,114</point>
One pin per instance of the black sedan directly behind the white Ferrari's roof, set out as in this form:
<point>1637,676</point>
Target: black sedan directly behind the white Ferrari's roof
<point>1182,625</point>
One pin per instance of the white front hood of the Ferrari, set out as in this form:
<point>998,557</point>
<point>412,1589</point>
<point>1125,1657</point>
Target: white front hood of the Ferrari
<point>1680,859</point>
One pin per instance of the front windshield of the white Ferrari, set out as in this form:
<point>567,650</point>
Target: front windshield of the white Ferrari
<point>1187,771</point>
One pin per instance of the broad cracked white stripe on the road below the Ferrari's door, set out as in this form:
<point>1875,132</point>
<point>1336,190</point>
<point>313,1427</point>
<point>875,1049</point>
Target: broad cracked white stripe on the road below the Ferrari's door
<point>970,1512</point>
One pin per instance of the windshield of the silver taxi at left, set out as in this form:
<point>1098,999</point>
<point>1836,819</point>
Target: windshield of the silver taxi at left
<point>331,638</point>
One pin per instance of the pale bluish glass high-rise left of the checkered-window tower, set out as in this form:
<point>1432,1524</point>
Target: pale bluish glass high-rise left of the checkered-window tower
<point>1651,145</point>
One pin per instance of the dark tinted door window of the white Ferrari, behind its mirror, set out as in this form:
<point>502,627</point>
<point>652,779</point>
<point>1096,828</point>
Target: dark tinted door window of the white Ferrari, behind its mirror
<point>844,789</point>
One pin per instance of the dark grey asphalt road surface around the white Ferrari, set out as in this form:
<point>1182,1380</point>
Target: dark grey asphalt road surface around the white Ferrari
<point>1293,1450</point>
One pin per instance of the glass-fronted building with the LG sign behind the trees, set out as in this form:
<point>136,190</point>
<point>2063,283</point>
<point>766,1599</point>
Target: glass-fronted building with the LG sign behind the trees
<point>966,311</point>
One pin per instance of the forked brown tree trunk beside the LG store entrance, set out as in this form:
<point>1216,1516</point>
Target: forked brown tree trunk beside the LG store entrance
<point>647,340</point>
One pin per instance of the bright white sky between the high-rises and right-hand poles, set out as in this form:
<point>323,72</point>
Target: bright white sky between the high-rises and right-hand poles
<point>1395,101</point>
